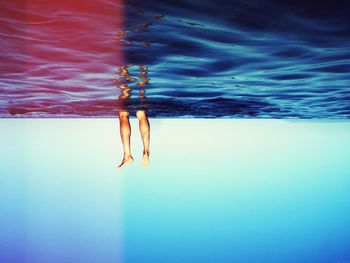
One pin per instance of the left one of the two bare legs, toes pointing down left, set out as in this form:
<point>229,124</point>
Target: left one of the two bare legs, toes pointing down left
<point>125,132</point>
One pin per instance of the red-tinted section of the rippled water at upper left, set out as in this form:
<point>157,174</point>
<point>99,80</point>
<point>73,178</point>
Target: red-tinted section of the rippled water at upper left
<point>56,53</point>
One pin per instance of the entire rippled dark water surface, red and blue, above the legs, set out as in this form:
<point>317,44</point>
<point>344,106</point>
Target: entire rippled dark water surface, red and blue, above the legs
<point>204,58</point>
